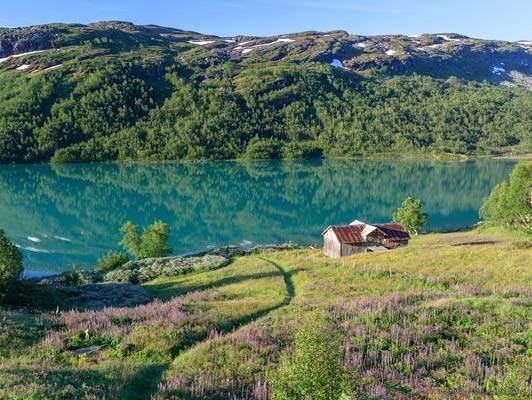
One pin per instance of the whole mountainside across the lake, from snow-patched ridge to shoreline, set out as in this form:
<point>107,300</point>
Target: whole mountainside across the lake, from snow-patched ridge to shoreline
<point>116,91</point>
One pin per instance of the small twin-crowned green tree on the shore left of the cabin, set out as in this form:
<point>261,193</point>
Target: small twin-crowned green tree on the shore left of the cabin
<point>152,243</point>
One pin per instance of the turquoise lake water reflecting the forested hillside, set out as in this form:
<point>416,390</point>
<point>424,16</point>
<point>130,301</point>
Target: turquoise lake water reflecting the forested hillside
<point>71,214</point>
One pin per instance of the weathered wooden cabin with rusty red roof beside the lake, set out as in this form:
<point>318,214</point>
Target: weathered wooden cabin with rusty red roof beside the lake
<point>359,237</point>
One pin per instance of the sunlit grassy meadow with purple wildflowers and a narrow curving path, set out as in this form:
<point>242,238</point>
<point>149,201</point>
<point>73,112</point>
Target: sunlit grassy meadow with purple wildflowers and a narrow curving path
<point>448,317</point>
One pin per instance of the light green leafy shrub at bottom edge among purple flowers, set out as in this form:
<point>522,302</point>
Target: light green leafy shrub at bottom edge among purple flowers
<point>314,370</point>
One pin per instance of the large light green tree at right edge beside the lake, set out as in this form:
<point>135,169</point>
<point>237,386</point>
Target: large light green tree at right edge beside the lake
<point>510,203</point>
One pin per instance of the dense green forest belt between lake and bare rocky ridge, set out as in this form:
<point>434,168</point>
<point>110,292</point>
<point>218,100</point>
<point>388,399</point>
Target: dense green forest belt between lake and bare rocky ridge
<point>118,110</point>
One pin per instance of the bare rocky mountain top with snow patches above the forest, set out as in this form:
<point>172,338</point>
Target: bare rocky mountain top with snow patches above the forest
<point>438,55</point>
